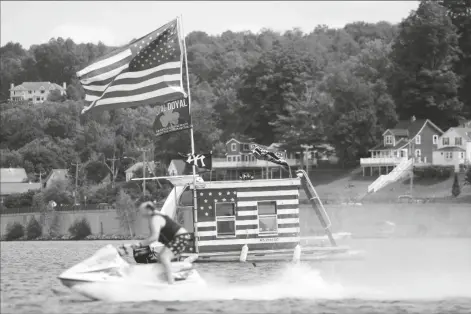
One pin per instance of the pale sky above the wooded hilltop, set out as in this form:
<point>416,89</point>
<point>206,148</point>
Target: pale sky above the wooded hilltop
<point>117,22</point>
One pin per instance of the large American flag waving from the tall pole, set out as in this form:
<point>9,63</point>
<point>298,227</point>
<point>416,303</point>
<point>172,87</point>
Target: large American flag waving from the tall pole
<point>147,71</point>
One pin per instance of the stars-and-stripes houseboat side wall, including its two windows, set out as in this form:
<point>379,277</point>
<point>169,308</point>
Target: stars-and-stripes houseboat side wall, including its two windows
<point>241,212</point>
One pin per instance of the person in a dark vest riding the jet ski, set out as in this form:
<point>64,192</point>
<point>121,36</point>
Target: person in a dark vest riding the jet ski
<point>173,236</point>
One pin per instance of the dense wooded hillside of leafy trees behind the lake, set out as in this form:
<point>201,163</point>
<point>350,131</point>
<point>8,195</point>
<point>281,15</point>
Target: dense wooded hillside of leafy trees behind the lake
<point>341,86</point>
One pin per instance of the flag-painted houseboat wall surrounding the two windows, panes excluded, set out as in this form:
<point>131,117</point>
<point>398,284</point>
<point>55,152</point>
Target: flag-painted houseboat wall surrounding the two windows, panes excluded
<point>246,197</point>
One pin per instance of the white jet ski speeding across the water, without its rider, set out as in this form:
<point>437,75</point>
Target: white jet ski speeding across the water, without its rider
<point>107,276</point>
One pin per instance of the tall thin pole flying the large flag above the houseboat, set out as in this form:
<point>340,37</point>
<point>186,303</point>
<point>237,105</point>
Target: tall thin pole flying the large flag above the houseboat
<point>195,203</point>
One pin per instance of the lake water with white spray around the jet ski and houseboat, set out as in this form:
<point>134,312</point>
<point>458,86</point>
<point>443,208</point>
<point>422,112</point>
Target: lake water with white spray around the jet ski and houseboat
<point>396,276</point>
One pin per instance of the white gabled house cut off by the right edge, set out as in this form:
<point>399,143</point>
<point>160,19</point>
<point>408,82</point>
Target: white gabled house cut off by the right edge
<point>453,148</point>
